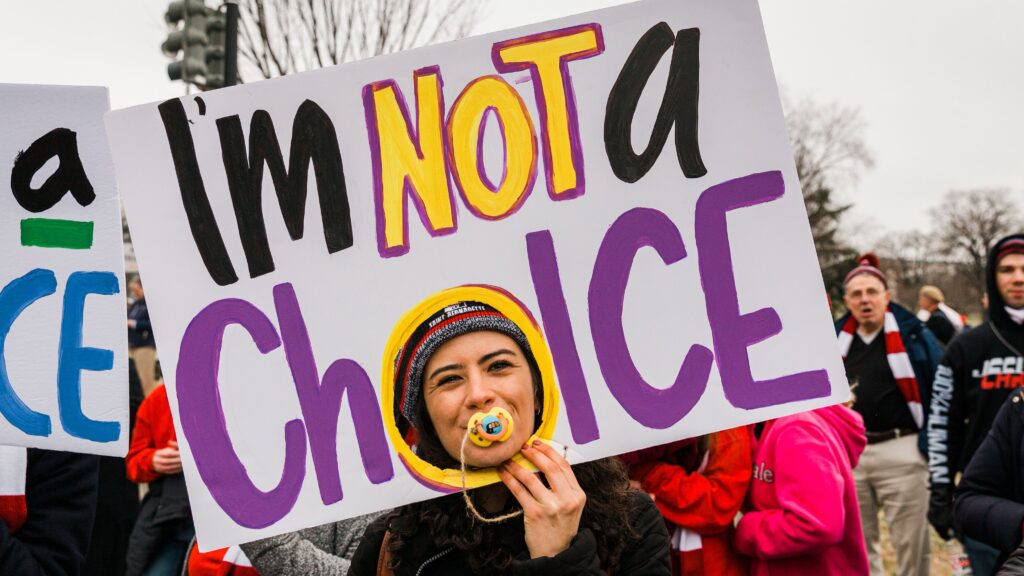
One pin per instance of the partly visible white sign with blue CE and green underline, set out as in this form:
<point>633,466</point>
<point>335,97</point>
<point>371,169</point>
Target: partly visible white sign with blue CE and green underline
<point>64,344</point>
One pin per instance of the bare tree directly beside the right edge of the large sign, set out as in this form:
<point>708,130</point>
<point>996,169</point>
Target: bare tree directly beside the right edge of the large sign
<point>831,154</point>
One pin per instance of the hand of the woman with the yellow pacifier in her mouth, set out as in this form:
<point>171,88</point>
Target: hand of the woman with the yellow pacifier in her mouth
<point>551,516</point>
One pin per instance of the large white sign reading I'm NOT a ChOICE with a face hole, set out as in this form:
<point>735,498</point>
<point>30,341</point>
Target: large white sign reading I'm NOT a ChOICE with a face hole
<point>619,184</point>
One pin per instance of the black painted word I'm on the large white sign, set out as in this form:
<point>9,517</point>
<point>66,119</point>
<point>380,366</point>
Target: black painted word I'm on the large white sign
<point>314,141</point>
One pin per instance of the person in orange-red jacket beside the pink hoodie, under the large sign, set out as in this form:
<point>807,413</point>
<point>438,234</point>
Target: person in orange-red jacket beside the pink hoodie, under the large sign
<point>700,486</point>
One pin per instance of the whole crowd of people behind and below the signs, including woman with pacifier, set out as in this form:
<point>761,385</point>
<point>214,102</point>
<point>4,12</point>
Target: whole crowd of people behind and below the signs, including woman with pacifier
<point>933,435</point>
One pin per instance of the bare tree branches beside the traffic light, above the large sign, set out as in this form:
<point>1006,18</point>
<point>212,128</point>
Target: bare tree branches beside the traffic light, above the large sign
<point>280,37</point>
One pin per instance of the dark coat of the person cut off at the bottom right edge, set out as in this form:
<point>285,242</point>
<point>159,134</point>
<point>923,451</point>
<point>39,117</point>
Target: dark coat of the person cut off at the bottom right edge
<point>990,500</point>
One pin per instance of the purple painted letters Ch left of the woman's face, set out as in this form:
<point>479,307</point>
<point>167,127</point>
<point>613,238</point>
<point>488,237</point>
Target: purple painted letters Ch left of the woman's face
<point>205,428</point>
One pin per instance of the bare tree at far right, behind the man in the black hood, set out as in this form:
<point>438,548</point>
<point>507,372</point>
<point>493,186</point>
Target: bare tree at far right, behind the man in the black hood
<point>969,222</point>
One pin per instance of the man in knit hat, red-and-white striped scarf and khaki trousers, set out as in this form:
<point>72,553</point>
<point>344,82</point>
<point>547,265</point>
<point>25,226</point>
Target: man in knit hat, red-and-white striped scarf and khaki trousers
<point>890,359</point>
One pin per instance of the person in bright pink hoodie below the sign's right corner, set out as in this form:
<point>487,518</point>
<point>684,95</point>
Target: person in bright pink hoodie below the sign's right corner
<point>803,516</point>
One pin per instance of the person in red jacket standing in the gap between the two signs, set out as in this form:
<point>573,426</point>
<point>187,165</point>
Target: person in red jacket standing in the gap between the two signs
<point>164,529</point>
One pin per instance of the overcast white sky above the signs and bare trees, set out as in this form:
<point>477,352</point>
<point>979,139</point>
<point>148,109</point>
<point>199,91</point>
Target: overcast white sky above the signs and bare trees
<point>941,84</point>
